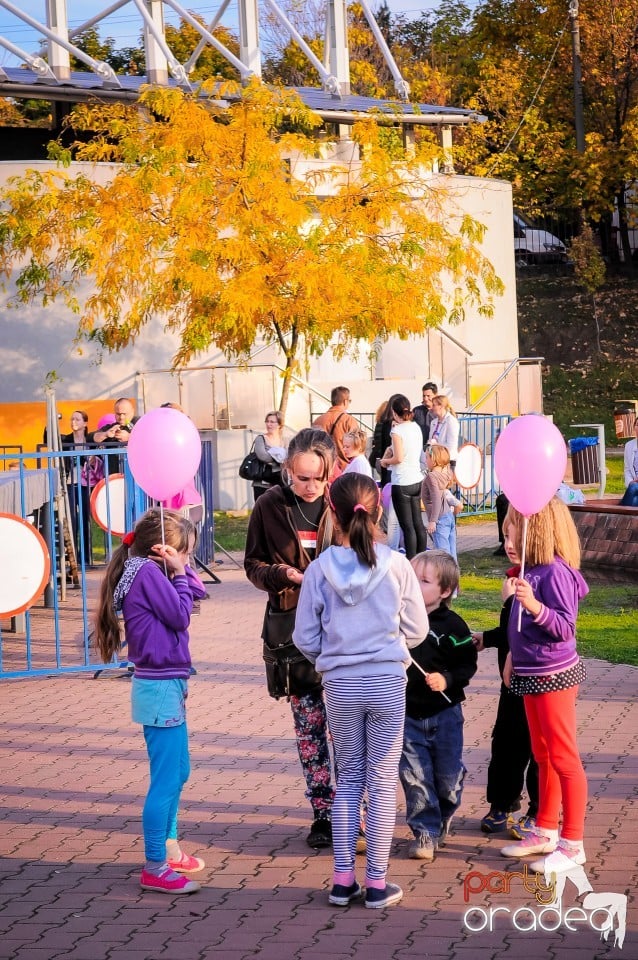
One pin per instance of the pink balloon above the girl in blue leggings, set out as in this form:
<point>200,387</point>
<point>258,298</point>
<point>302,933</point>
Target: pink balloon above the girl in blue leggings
<point>164,451</point>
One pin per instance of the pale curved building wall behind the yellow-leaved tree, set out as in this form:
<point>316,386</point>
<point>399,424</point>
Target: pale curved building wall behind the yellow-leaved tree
<point>38,340</point>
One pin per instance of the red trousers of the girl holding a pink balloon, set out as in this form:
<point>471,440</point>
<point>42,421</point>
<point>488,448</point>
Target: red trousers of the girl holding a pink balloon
<point>561,778</point>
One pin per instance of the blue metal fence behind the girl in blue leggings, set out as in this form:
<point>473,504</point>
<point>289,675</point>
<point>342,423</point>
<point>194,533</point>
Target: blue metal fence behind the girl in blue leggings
<point>54,635</point>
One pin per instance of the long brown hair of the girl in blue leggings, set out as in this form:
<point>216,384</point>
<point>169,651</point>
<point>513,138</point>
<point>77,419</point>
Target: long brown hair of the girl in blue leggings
<point>178,531</point>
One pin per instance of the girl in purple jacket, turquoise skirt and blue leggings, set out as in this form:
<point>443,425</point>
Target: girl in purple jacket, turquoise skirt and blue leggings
<point>149,584</point>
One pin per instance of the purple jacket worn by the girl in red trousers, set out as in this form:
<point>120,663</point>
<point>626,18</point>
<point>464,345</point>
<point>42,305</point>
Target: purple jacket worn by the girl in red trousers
<point>547,644</point>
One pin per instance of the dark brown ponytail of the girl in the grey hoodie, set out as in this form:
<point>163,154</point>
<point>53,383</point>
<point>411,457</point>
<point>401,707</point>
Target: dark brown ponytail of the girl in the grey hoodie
<point>354,500</point>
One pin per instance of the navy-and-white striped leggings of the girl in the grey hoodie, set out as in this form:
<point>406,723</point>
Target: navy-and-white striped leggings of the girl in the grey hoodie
<point>365,716</point>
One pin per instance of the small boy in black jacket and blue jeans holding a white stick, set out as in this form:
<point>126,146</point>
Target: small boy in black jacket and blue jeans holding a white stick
<point>431,767</point>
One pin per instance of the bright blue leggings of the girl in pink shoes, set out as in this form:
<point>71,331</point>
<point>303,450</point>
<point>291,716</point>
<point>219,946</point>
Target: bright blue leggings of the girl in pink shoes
<point>167,749</point>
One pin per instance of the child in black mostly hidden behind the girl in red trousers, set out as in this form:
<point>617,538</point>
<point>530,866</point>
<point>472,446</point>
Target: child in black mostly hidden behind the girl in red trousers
<point>511,763</point>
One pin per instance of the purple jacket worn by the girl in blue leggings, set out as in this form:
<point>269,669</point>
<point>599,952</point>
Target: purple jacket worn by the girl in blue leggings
<point>157,614</point>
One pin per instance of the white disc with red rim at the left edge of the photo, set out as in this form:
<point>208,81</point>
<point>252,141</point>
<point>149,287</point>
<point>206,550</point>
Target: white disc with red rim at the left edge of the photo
<point>25,565</point>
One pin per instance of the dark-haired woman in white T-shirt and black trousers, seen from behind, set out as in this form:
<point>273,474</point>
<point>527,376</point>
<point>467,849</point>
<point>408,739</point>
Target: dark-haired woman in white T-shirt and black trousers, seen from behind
<point>405,461</point>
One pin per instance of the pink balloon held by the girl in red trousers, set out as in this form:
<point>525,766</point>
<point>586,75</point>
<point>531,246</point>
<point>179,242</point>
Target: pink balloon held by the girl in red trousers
<point>530,459</point>
